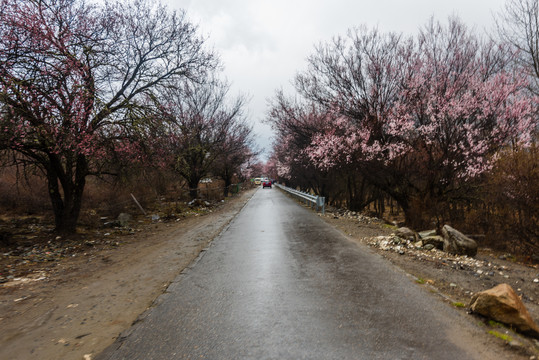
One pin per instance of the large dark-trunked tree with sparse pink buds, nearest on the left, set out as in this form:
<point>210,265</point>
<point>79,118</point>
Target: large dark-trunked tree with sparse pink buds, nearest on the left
<point>71,77</point>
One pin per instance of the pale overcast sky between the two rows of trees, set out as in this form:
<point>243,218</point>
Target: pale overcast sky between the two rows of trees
<point>264,43</point>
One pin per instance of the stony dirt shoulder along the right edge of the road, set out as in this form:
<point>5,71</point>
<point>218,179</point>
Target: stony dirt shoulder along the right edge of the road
<point>454,279</point>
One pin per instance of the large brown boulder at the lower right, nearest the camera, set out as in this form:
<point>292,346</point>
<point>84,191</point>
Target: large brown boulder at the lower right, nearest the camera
<point>502,304</point>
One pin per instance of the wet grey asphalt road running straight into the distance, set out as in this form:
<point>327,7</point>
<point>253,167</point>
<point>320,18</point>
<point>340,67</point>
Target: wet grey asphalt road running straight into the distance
<point>280,283</point>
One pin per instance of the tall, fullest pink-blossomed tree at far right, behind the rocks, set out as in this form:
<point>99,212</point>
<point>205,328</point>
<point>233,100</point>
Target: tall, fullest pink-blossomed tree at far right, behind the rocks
<point>448,129</point>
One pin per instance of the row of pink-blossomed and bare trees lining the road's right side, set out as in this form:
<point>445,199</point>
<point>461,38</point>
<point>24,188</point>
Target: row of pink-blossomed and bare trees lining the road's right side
<point>442,124</point>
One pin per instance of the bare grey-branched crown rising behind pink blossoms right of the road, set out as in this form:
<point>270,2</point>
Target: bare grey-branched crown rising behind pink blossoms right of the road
<point>360,73</point>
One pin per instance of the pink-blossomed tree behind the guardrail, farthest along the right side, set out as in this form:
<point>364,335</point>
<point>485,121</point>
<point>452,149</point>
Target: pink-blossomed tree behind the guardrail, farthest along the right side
<point>329,169</point>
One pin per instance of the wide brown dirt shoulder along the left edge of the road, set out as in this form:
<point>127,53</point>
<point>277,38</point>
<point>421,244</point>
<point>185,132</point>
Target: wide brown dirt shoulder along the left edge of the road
<point>80,308</point>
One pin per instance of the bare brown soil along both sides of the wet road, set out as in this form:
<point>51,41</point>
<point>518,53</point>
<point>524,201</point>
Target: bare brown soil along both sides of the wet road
<point>72,304</point>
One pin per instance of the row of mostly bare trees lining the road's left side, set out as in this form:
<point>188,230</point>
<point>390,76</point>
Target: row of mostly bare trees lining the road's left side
<point>101,89</point>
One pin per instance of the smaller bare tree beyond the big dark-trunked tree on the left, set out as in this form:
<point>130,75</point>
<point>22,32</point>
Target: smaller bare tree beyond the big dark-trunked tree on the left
<point>202,124</point>
